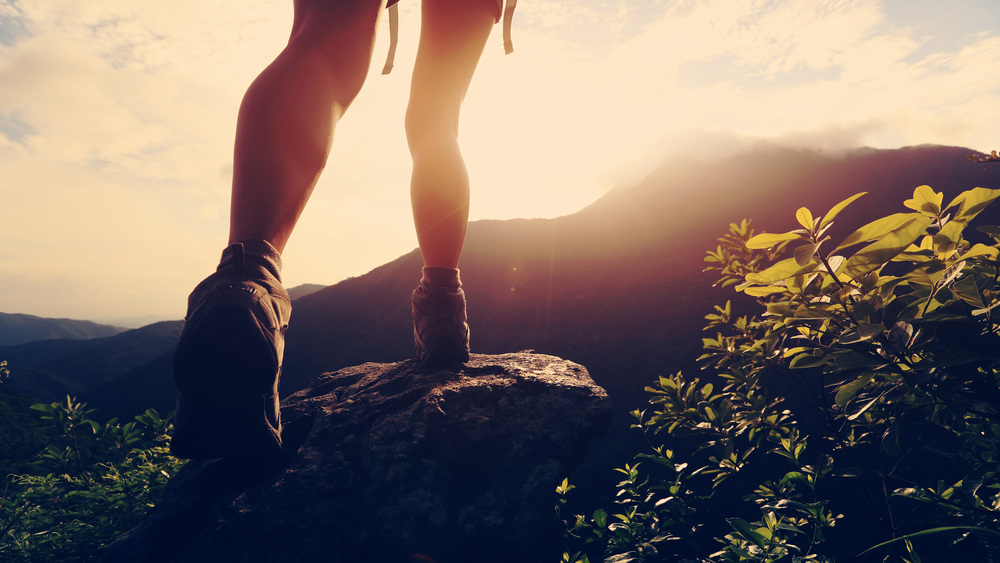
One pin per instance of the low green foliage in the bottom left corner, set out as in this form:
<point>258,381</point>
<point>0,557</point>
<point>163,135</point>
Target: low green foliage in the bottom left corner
<point>92,483</point>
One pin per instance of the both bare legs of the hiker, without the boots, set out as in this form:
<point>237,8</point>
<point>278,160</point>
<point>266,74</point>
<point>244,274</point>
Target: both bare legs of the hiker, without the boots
<point>289,114</point>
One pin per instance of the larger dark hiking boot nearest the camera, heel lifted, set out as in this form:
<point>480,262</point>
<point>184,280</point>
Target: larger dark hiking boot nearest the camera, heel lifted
<point>228,359</point>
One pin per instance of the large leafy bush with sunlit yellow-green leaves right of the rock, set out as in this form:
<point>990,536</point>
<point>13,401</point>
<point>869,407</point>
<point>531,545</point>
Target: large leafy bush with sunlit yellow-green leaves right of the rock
<point>858,417</point>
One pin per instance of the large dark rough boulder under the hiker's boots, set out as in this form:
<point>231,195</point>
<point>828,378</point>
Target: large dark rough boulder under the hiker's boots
<point>392,462</point>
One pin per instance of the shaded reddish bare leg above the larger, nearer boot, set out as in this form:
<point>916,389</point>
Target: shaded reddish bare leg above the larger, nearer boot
<point>288,115</point>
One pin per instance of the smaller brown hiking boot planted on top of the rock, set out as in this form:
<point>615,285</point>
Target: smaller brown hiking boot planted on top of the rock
<point>440,330</point>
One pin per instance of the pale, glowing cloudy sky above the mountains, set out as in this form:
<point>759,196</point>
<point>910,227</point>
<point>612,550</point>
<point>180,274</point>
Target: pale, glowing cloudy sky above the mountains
<point>117,120</point>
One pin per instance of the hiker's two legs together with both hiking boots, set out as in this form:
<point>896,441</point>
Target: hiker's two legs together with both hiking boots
<point>229,356</point>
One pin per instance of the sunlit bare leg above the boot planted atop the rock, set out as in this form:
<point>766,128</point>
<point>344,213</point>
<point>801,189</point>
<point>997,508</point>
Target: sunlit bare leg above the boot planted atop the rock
<point>452,37</point>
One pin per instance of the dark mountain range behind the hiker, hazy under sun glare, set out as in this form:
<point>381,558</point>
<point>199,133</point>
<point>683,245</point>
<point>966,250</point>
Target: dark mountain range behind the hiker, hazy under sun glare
<point>617,286</point>
